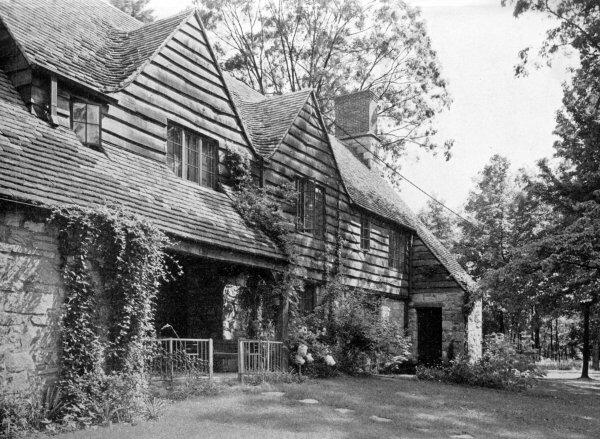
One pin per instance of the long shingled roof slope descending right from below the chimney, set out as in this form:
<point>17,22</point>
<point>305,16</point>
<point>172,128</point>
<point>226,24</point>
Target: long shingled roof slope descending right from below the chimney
<point>372,192</point>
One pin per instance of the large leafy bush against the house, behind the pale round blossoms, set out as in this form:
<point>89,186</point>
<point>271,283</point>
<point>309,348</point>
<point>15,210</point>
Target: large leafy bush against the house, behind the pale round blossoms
<point>348,326</point>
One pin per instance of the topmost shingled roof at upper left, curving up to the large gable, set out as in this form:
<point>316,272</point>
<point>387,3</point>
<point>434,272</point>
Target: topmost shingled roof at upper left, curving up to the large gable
<point>99,46</point>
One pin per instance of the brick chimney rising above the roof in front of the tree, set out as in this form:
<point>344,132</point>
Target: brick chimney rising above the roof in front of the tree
<point>356,124</point>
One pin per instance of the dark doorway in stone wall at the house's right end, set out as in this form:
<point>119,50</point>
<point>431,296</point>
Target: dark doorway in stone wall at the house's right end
<point>429,335</point>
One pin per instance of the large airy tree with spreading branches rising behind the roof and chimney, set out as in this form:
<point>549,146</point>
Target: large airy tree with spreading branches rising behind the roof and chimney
<point>277,46</point>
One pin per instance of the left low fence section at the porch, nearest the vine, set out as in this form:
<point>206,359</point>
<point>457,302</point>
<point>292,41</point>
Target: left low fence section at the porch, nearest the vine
<point>174,357</point>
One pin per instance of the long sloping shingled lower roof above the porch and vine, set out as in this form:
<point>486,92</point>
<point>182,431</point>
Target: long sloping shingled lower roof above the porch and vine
<point>48,166</point>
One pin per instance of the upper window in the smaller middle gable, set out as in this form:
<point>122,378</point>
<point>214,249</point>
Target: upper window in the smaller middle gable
<point>310,207</point>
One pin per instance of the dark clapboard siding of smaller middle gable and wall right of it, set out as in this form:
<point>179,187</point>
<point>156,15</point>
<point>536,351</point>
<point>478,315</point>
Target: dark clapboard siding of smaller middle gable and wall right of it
<point>305,152</point>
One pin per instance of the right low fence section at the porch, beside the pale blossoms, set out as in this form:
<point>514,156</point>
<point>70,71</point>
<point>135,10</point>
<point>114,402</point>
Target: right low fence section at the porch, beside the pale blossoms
<point>259,356</point>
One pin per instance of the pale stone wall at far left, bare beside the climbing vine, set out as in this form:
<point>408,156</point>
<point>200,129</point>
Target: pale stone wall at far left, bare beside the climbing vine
<point>30,296</point>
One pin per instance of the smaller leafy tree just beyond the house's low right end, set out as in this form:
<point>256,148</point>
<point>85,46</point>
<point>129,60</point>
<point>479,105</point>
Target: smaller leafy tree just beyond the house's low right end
<point>505,215</point>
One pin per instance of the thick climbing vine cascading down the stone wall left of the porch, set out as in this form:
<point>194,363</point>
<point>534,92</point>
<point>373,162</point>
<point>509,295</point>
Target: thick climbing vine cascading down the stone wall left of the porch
<point>113,264</point>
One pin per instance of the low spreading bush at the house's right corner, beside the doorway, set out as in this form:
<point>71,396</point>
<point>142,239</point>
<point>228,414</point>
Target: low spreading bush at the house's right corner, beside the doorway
<point>501,367</point>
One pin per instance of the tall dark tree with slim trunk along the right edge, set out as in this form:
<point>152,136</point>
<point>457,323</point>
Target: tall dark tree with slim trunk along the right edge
<point>573,186</point>
